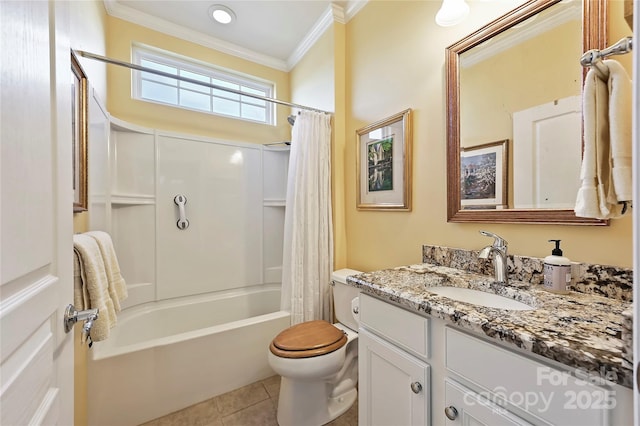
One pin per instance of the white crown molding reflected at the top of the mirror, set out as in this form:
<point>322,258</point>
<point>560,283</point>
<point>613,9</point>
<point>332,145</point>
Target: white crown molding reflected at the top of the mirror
<point>525,32</point>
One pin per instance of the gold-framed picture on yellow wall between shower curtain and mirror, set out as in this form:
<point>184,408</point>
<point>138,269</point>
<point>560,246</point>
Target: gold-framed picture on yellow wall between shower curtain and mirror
<point>383,164</point>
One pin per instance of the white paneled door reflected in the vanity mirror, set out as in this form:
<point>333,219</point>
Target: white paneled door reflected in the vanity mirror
<point>546,141</point>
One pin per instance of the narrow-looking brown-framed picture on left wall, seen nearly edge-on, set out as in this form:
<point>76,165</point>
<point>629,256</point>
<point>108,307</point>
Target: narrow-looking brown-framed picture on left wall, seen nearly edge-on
<point>79,134</point>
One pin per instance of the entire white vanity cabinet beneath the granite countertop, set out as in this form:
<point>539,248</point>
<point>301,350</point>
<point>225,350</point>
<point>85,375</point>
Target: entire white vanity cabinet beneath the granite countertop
<point>418,370</point>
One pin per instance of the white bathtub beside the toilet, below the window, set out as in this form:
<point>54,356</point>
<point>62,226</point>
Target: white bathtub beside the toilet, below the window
<point>168,355</point>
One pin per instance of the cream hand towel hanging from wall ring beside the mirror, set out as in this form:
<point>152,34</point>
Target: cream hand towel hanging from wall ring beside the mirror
<point>606,162</point>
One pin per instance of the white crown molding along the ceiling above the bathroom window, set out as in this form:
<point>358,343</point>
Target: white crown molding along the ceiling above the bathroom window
<point>126,13</point>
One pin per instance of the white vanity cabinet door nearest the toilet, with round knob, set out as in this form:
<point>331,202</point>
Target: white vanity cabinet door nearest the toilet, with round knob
<point>394,386</point>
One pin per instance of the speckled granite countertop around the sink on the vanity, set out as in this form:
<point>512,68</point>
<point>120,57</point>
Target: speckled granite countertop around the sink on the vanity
<point>581,331</point>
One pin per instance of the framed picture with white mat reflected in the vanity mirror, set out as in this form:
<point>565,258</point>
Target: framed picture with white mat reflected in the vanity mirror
<point>483,175</point>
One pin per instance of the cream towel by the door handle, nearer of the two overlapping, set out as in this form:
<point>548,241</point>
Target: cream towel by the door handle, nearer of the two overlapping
<point>92,285</point>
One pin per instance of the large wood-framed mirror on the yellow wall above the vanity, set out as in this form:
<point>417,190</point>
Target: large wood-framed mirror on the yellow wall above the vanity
<point>520,73</point>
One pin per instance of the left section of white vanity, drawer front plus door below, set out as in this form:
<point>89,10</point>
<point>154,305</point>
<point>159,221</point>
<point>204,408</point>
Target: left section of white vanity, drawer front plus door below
<point>394,377</point>
